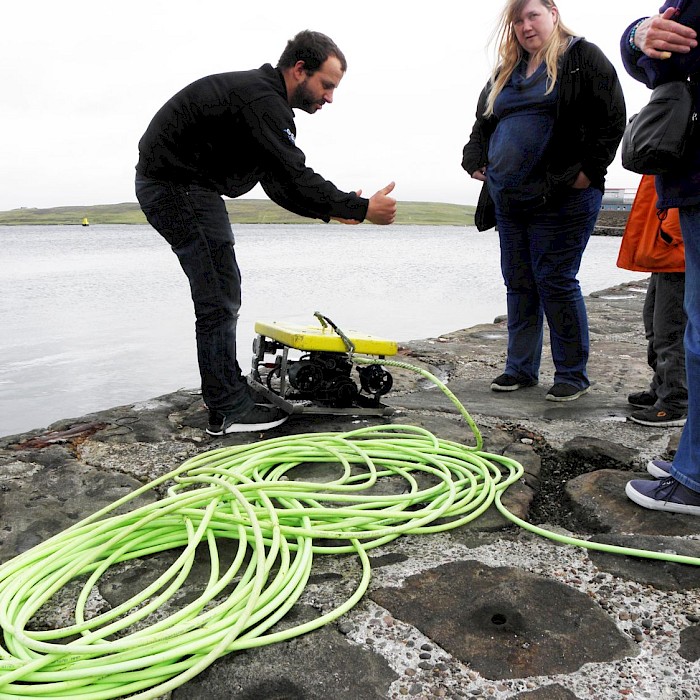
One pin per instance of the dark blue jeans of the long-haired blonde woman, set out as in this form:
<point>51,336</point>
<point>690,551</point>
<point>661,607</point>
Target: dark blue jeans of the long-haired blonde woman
<point>540,258</point>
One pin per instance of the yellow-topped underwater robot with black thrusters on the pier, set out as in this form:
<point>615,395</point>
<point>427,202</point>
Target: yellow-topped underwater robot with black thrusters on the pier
<point>308,369</point>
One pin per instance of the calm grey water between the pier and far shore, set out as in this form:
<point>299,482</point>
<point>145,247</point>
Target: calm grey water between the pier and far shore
<point>96,317</point>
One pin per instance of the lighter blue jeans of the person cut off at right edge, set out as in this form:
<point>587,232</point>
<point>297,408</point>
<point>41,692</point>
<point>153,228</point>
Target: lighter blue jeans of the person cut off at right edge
<point>686,463</point>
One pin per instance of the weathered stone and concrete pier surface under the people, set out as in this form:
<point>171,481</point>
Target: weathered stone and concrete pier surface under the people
<point>487,610</point>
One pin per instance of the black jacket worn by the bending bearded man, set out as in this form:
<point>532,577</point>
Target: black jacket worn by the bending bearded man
<point>230,131</point>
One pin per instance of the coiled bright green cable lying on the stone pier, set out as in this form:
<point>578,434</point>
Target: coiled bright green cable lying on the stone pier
<point>389,480</point>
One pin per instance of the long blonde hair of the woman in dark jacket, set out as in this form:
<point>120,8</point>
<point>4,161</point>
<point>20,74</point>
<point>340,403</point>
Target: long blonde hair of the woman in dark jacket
<point>510,52</point>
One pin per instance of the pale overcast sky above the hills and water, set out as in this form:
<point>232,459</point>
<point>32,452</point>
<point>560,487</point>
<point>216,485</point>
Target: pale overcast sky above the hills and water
<point>81,79</point>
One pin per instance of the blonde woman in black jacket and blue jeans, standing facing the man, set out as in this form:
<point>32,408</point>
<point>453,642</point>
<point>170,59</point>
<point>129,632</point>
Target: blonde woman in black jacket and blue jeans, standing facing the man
<point>548,124</point>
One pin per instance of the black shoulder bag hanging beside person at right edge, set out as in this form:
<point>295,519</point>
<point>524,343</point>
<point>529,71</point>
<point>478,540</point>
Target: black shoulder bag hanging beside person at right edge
<point>656,138</point>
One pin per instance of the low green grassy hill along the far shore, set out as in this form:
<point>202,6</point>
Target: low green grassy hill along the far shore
<point>241,211</point>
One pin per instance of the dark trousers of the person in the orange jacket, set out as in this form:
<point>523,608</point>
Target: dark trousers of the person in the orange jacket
<point>664,324</point>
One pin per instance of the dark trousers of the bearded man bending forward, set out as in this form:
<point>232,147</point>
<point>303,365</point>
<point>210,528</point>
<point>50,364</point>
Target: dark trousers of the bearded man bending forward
<point>194,221</point>
